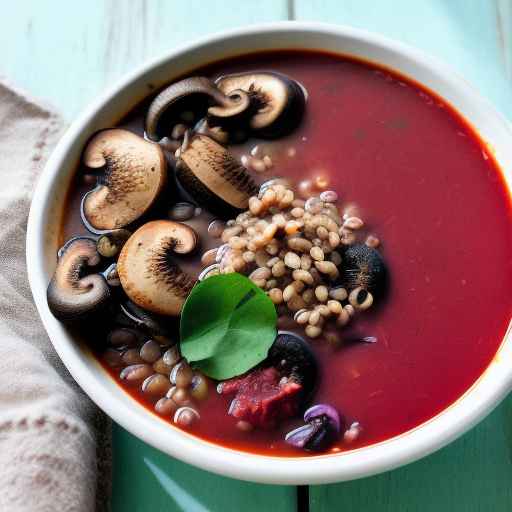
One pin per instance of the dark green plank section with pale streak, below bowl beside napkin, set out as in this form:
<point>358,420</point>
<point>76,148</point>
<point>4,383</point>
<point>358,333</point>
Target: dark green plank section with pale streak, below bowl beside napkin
<point>150,480</point>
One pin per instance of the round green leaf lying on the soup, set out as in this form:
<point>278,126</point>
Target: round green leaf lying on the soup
<point>227,326</point>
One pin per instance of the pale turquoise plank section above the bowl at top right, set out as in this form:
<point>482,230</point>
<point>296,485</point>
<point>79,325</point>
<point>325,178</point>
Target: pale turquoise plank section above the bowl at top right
<point>473,36</point>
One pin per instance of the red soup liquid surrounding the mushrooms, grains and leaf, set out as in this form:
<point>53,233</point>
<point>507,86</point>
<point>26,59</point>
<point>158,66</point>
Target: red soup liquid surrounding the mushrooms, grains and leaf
<point>432,199</point>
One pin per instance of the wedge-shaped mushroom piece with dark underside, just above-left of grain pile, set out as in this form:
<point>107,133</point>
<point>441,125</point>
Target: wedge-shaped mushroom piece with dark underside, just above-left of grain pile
<point>213,177</point>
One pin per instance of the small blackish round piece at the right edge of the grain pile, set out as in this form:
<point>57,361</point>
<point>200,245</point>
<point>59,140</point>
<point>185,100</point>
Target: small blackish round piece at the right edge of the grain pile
<point>363,267</point>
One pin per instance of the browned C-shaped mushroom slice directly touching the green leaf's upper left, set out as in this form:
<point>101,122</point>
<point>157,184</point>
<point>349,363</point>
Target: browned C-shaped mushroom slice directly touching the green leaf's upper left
<point>148,270</point>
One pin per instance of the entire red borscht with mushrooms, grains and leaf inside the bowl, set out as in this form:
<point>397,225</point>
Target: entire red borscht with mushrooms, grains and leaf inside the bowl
<point>288,253</point>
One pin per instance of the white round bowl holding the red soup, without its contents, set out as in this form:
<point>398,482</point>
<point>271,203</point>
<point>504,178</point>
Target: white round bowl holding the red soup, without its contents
<point>47,210</point>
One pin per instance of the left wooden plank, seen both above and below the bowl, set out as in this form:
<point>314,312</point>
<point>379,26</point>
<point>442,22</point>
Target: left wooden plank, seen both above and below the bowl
<point>66,52</point>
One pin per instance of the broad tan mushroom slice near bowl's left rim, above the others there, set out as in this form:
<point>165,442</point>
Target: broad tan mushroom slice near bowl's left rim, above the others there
<point>135,174</point>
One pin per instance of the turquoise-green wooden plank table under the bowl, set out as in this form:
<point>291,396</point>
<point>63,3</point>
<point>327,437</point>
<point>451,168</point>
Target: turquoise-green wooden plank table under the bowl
<point>66,52</point>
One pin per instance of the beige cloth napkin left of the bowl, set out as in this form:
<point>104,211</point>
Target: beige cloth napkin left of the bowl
<point>49,430</point>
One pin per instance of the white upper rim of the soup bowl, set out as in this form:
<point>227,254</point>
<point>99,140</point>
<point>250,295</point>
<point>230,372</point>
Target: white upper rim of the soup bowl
<point>491,387</point>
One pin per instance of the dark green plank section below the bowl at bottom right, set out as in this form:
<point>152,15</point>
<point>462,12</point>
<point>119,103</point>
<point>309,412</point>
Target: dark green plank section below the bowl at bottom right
<point>472,474</point>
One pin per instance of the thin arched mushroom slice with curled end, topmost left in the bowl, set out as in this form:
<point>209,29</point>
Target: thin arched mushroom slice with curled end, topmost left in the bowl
<point>194,94</point>
